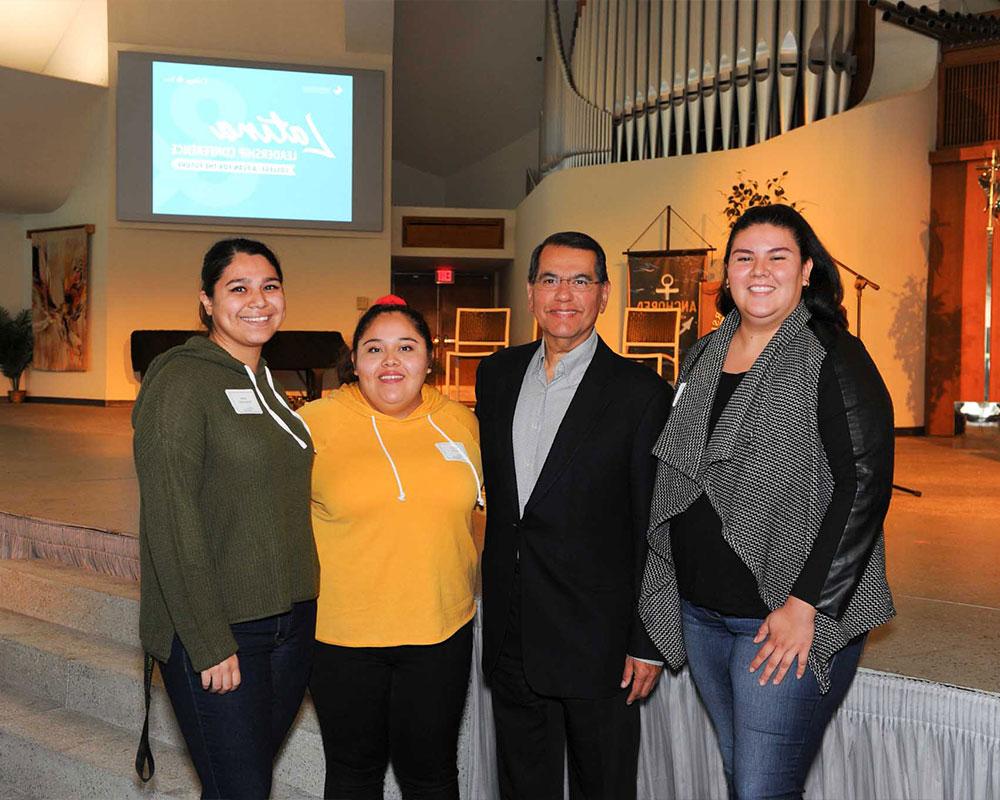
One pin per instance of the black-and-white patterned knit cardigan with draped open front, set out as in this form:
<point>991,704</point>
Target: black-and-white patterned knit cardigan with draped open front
<point>765,473</point>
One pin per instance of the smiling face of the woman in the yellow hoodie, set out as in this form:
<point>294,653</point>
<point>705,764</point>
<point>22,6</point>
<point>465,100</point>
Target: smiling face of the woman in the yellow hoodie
<point>391,363</point>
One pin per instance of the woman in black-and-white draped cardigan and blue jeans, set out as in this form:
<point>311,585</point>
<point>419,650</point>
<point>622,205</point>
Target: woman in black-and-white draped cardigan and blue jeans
<point>766,565</point>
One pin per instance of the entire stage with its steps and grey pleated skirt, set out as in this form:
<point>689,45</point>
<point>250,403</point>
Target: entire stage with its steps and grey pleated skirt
<point>921,721</point>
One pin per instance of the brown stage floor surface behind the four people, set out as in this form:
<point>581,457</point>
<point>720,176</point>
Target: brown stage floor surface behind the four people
<point>68,478</point>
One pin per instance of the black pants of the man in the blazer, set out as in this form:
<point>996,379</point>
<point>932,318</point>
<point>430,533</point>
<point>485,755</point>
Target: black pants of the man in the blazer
<point>535,733</point>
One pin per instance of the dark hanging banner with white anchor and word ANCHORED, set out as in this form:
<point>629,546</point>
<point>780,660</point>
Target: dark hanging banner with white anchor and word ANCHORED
<point>674,279</point>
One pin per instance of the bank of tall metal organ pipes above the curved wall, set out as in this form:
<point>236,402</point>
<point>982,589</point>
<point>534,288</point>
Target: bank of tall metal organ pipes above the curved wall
<point>657,78</point>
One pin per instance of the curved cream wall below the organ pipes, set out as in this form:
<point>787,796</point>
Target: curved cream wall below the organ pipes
<point>862,179</point>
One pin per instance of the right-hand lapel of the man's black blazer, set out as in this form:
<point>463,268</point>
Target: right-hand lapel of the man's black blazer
<point>582,415</point>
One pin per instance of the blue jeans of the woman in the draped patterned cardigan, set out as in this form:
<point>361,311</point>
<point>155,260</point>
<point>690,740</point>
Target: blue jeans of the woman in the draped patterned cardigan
<point>768,735</point>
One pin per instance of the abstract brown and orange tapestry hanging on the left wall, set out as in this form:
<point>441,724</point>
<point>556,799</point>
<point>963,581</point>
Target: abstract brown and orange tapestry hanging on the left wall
<point>59,276</point>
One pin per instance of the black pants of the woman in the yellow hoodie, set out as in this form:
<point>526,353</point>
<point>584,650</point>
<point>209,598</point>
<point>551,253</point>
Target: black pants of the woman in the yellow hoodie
<point>400,704</point>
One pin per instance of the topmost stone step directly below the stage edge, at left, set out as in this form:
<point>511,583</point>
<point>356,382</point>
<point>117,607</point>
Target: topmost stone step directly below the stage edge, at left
<point>86,601</point>
